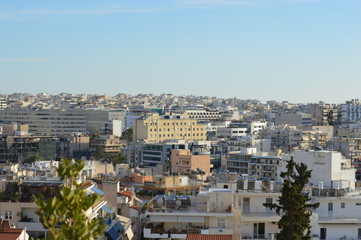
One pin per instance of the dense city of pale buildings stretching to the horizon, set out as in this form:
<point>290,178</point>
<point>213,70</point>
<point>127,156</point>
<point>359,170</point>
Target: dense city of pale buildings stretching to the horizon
<point>176,167</point>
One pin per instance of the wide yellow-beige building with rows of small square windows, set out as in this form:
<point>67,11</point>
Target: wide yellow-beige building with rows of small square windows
<point>157,128</point>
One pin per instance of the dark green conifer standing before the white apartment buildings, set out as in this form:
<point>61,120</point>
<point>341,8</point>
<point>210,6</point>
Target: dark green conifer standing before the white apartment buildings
<point>294,203</point>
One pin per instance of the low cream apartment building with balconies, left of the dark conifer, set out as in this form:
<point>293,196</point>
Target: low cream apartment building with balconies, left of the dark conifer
<point>237,212</point>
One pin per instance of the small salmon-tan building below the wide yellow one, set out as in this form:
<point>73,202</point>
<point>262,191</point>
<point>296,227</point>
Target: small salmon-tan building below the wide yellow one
<point>182,159</point>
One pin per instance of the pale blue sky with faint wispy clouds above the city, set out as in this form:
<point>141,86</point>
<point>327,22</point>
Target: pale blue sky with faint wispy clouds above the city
<point>294,50</point>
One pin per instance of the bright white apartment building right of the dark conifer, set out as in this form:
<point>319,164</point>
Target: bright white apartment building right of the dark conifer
<point>333,186</point>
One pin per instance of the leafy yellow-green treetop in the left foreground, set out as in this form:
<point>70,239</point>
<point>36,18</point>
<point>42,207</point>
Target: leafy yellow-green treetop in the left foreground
<point>64,216</point>
